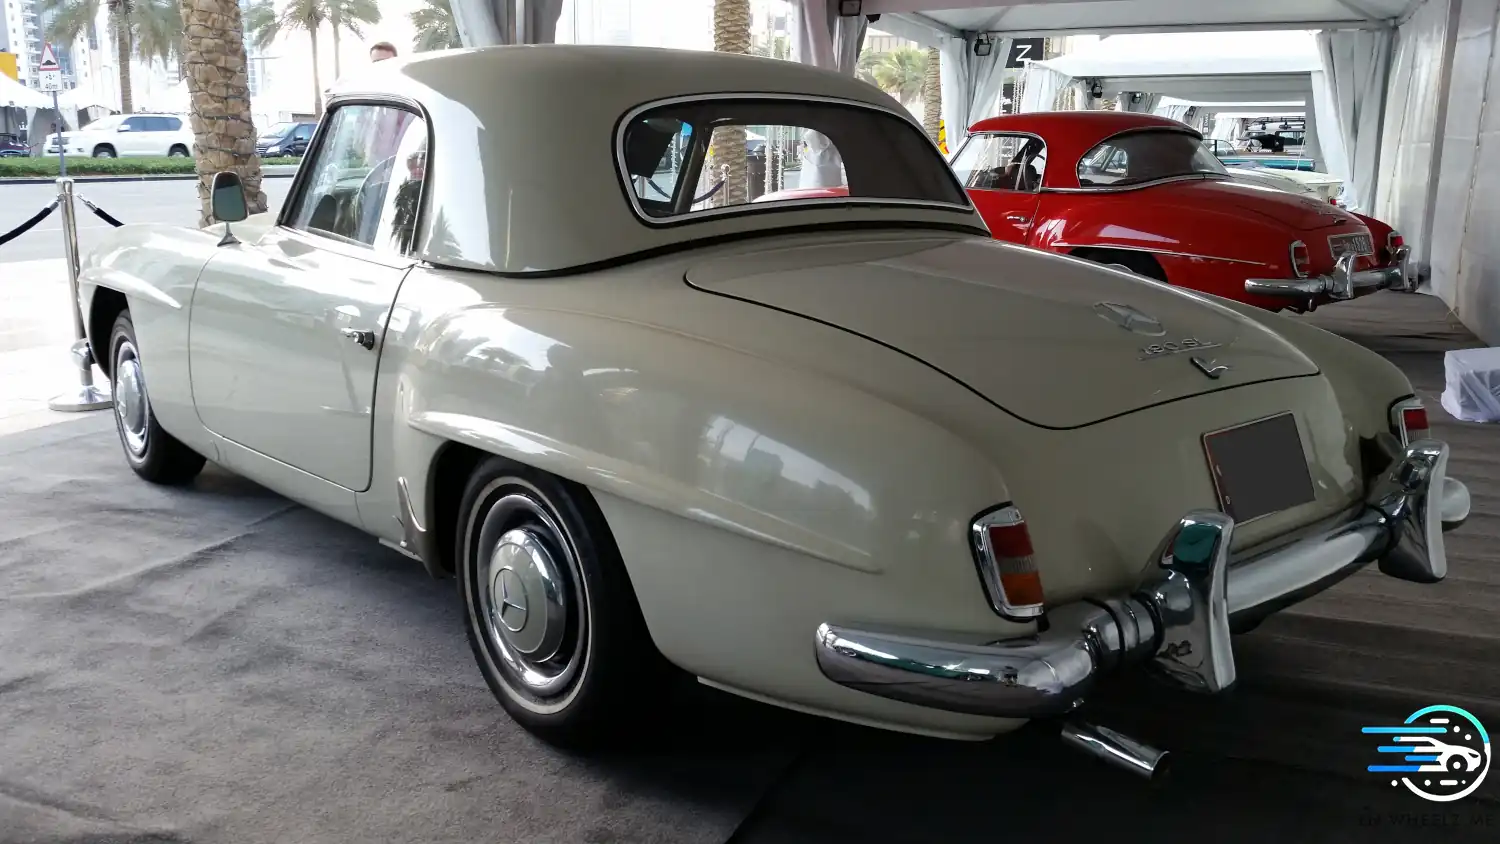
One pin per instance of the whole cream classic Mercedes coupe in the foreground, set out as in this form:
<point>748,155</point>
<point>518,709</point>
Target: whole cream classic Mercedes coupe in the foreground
<point>850,456</point>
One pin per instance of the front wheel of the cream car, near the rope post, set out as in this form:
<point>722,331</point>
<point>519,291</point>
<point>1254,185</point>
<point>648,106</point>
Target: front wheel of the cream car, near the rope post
<point>154,453</point>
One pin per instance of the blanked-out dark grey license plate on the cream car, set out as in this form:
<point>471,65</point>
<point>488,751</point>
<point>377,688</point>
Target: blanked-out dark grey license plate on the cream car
<point>1259,468</point>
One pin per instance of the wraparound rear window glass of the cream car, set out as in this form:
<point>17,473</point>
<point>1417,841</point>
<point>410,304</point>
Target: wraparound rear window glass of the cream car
<point>722,155</point>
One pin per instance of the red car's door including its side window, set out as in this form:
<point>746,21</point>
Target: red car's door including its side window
<point>1003,175</point>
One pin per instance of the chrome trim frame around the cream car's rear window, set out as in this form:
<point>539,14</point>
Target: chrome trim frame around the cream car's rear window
<point>791,205</point>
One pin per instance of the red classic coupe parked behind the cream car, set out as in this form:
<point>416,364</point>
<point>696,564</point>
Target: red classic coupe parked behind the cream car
<point>1141,193</point>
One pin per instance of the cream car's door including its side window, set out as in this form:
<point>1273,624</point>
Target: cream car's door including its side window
<point>286,332</point>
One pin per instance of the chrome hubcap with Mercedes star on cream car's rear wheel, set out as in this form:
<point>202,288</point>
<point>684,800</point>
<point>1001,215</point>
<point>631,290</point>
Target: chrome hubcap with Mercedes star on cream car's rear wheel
<point>530,606</point>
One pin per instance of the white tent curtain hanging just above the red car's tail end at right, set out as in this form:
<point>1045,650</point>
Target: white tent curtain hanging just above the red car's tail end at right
<point>1348,106</point>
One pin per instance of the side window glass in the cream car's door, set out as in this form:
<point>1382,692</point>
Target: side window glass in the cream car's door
<point>365,178</point>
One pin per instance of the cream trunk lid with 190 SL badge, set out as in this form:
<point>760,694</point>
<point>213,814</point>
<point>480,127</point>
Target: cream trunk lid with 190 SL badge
<point>1054,341</point>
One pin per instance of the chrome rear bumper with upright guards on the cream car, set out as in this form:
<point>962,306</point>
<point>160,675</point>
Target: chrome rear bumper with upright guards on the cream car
<point>1180,626</point>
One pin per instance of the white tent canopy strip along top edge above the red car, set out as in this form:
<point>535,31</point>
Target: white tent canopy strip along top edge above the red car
<point>1061,17</point>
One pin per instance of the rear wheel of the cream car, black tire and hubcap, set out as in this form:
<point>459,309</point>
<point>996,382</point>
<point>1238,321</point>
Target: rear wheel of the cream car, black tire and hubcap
<point>592,663</point>
